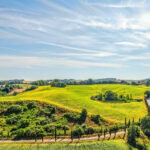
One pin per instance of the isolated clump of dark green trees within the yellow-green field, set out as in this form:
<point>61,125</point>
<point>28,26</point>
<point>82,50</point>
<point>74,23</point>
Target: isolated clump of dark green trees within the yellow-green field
<point>112,96</point>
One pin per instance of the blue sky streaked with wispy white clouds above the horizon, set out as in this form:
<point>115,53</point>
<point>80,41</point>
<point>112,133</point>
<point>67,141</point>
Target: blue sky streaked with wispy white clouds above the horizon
<point>80,39</point>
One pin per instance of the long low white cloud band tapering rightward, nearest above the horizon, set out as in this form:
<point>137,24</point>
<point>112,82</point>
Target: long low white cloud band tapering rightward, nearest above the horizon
<point>28,62</point>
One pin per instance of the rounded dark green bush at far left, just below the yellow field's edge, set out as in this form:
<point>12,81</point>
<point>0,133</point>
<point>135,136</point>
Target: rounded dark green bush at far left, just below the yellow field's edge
<point>16,109</point>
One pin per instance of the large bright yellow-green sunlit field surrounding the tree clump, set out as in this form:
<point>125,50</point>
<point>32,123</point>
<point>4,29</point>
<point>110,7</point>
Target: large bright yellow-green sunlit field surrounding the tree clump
<point>76,97</point>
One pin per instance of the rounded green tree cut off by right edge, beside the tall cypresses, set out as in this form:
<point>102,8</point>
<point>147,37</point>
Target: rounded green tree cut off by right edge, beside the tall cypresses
<point>145,125</point>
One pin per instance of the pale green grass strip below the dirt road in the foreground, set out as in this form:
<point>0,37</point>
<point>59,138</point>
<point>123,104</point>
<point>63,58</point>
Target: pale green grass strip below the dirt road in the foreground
<point>109,145</point>
